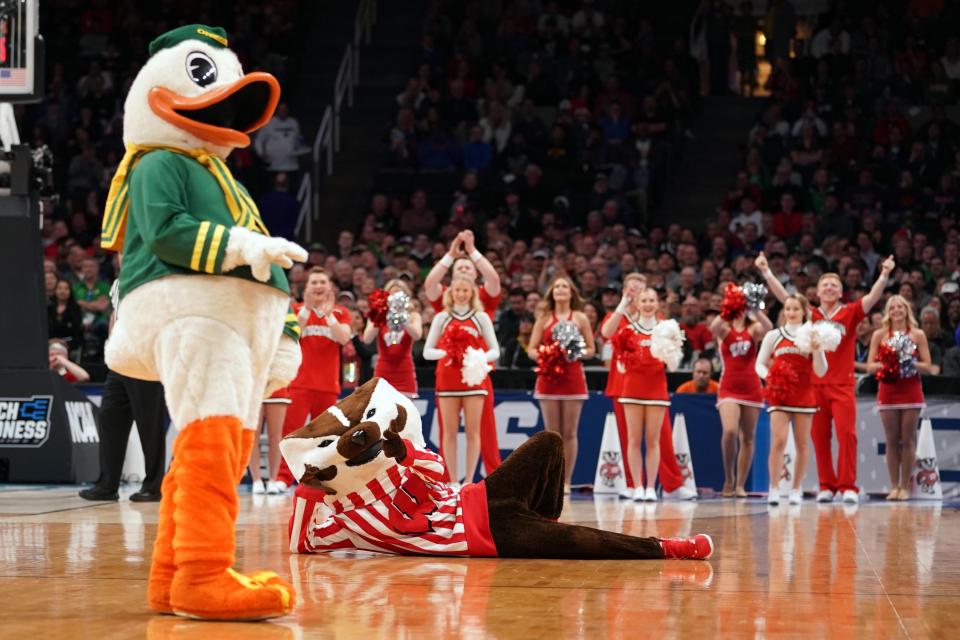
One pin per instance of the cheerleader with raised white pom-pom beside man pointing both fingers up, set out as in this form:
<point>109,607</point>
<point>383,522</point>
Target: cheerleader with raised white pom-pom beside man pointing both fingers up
<point>786,368</point>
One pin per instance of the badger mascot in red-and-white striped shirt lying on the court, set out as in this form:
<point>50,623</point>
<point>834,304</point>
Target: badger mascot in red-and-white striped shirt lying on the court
<point>368,482</point>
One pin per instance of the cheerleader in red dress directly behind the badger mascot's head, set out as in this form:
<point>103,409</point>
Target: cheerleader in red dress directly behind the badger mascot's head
<point>394,359</point>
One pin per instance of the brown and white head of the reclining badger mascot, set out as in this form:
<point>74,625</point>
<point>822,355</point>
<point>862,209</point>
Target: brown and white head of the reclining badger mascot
<point>342,449</point>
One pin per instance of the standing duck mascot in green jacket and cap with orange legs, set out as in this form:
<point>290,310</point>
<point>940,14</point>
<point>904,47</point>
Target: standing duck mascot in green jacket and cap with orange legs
<point>204,308</point>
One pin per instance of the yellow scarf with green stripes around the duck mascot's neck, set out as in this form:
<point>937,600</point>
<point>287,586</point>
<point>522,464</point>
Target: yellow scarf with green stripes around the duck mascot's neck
<point>241,206</point>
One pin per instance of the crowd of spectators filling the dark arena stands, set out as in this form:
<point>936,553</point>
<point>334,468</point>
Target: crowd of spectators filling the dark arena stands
<point>558,125</point>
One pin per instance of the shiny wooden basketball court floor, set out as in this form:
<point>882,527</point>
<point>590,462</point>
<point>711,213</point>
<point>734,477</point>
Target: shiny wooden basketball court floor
<point>70,568</point>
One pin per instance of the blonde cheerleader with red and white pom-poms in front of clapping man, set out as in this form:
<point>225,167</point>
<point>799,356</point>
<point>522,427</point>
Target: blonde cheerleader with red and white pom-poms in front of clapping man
<point>643,386</point>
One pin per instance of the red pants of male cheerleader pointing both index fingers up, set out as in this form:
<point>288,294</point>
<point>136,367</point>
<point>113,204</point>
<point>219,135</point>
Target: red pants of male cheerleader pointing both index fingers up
<point>836,403</point>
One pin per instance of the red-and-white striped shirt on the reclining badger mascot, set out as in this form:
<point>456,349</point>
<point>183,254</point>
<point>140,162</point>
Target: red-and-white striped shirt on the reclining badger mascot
<point>409,511</point>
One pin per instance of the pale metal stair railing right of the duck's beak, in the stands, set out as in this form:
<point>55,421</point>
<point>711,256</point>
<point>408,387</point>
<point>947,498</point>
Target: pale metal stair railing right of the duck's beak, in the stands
<point>327,140</point>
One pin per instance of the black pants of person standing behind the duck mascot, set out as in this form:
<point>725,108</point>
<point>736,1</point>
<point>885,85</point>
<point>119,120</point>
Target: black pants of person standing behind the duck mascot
<point>125,400</point>
